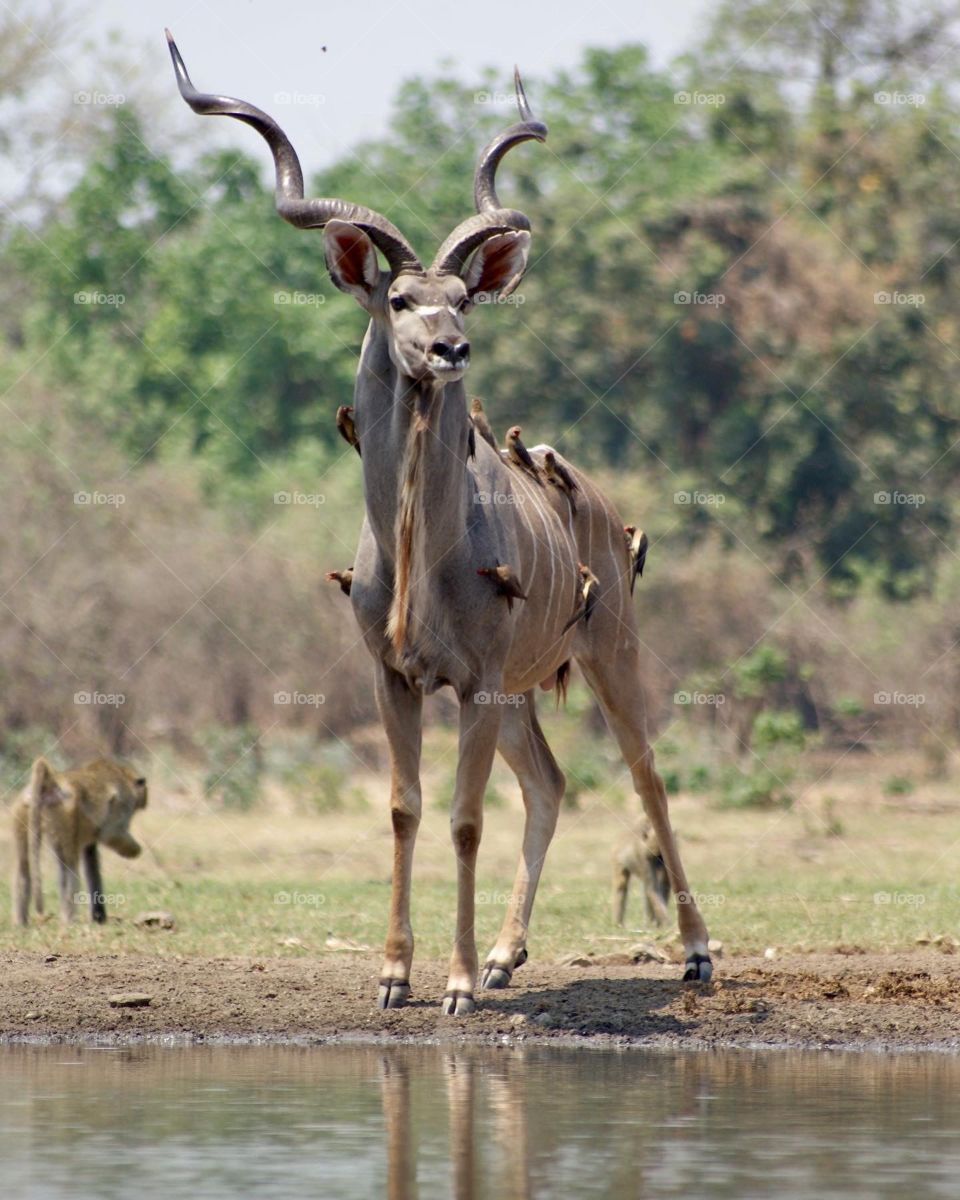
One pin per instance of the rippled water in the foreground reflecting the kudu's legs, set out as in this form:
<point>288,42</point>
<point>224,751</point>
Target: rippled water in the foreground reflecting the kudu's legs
<point>475,1123</point>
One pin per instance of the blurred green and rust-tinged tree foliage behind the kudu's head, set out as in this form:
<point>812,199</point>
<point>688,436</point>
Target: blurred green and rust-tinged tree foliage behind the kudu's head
<point>794,201</point>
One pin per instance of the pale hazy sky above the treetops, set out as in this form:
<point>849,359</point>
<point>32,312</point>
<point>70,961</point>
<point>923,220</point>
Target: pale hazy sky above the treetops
<point>272,55</point>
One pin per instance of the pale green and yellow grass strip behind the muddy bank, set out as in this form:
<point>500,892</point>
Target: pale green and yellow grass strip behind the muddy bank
<point>848,866</point>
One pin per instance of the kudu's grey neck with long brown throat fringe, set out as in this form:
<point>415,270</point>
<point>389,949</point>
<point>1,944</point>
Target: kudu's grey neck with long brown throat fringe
<point>415,437</point>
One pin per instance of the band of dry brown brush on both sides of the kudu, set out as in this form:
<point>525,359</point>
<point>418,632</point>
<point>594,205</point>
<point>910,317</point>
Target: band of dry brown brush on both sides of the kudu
<point>199,610</point>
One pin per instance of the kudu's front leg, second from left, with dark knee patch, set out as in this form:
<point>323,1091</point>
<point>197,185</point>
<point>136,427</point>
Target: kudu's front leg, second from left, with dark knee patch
<point>479,729</point>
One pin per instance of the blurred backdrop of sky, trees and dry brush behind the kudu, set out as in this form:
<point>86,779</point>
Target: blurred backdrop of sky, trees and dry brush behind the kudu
<point>741,315</point>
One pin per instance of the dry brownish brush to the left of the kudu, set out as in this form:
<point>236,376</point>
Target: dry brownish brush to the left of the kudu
<point>193,613</point>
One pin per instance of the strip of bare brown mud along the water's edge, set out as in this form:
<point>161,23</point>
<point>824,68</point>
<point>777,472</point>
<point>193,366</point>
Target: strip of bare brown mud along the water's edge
<point>896,1001</point>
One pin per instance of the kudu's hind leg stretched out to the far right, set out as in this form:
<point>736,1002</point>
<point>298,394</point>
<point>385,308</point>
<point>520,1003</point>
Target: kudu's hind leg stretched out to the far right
<point>616,683</point>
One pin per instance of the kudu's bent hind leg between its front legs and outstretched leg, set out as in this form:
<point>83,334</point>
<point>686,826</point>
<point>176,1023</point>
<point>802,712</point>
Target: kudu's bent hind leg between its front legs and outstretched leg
<point>542,782</point>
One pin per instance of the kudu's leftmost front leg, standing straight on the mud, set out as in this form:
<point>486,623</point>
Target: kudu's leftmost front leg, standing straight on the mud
<point>401,716</point>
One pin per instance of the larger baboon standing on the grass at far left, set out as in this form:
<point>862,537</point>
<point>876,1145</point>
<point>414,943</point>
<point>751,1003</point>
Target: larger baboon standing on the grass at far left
<point>74,812</point>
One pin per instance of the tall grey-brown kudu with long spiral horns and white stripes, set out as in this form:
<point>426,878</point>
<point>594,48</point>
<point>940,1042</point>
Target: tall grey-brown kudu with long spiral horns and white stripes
<point>435,517</point>
